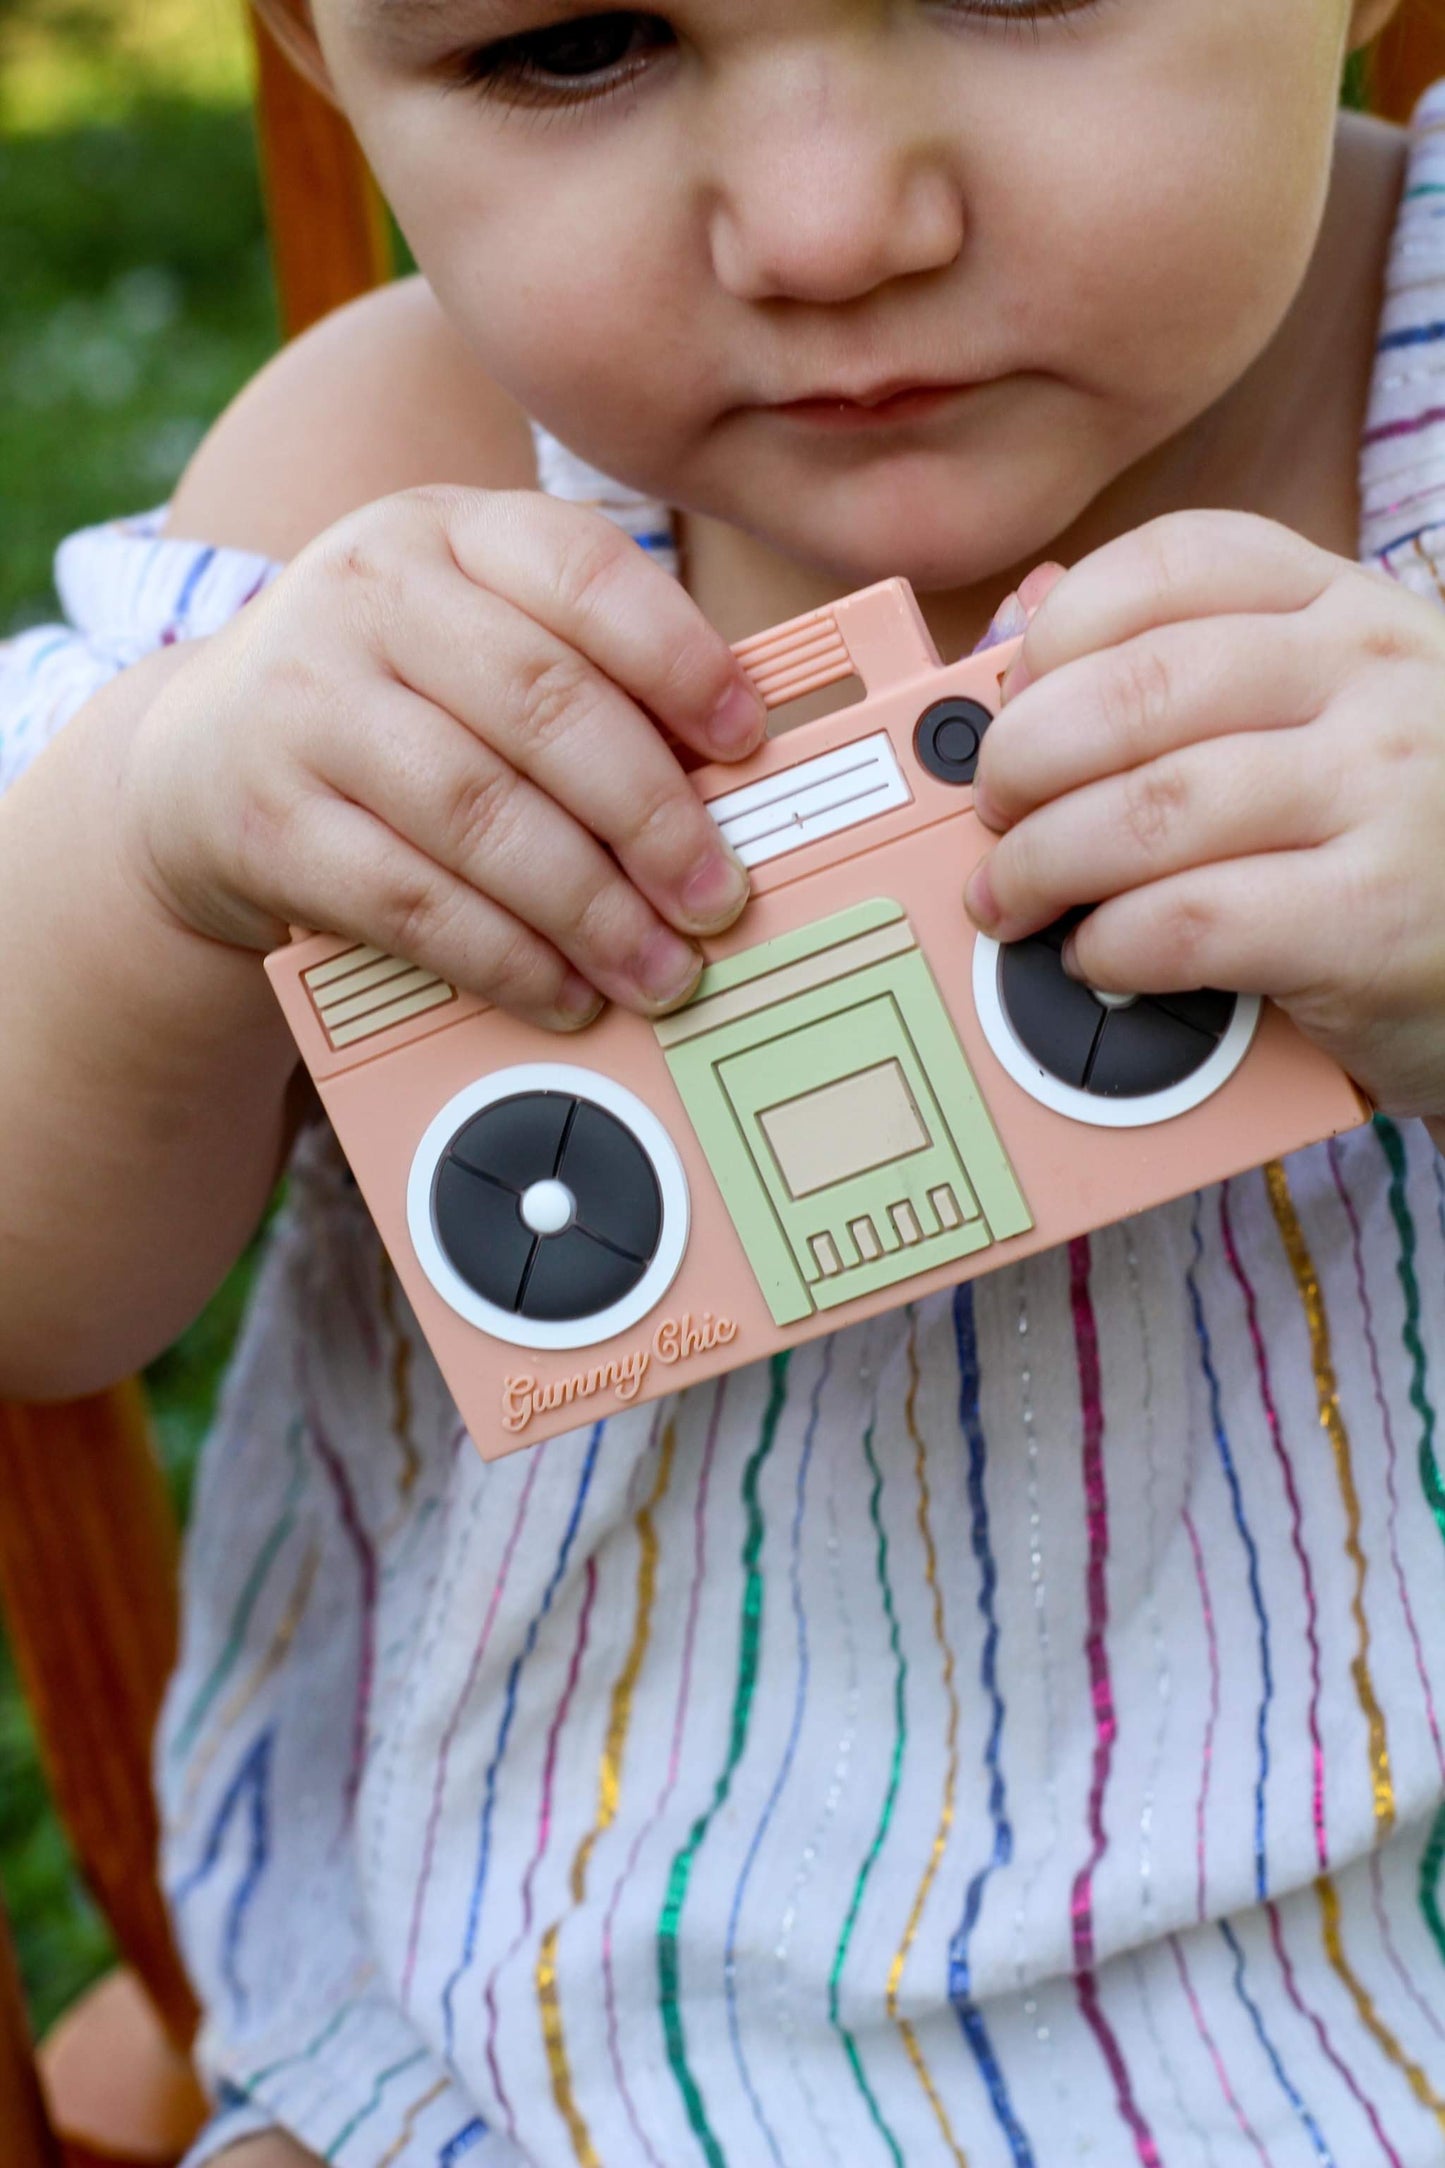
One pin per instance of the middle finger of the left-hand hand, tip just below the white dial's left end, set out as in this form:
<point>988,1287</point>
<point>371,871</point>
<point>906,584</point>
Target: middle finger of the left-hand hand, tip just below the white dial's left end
<point>560,721</point>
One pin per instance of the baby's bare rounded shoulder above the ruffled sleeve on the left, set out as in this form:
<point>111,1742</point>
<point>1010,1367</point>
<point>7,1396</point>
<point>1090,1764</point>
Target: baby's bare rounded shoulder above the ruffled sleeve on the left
<point>378,398</point>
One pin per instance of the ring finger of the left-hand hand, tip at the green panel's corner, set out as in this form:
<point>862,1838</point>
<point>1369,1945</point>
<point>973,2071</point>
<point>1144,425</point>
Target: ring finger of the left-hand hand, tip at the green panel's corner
<point>469,812</point>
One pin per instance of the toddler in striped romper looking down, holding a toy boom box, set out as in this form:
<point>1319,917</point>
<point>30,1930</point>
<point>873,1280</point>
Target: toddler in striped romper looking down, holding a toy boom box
<point>1006,1731</point>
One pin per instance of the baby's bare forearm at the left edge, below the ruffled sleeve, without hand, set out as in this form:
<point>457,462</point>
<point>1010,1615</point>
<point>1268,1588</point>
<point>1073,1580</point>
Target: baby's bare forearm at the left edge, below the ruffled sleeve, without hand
<point>144,1076</point>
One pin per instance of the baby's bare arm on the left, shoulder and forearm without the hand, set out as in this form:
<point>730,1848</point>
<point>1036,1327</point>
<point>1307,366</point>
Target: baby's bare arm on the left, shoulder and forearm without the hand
<point>148,1087</point>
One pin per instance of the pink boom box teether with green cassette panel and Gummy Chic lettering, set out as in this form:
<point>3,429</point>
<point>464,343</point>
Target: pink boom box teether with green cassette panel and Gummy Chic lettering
<point>863,1100</point>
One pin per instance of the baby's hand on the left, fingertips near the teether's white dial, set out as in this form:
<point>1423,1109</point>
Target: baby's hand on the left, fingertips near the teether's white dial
<point>439,734</point>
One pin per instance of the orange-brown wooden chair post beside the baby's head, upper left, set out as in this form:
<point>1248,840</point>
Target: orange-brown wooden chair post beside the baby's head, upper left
<point>328,229</point>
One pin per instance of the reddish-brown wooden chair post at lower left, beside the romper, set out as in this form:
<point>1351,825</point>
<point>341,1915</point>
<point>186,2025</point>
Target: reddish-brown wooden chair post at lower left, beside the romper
<point>88,1579</point>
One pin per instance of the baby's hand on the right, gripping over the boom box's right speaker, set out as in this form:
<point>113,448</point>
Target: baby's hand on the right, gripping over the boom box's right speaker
<point>1234,745</point>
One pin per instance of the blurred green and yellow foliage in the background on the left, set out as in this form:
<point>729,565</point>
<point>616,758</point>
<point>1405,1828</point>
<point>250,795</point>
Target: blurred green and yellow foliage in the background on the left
<point>135,300</point>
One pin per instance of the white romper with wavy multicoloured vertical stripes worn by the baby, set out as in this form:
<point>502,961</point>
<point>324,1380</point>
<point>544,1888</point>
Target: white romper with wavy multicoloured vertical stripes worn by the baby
<point>1006,1731</point>
